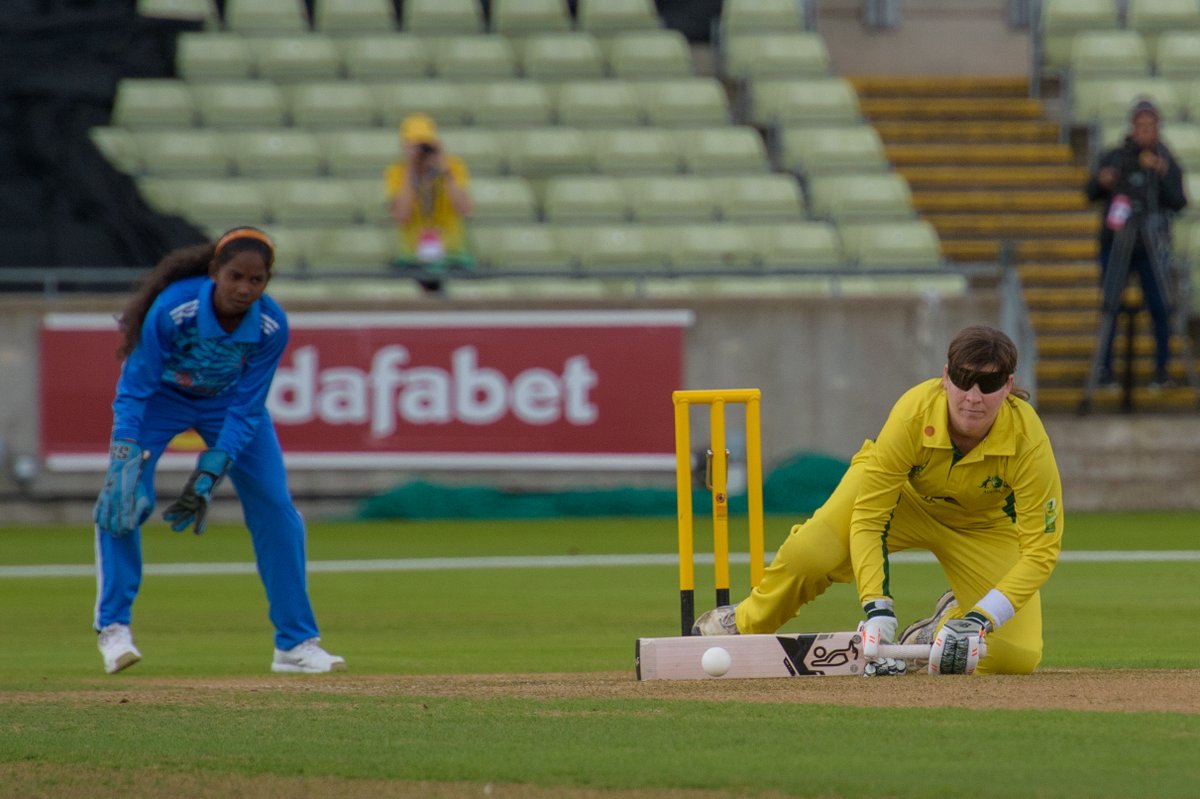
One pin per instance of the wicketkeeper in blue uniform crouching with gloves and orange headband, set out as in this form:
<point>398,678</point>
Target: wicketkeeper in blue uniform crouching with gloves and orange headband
<point>202,343</point>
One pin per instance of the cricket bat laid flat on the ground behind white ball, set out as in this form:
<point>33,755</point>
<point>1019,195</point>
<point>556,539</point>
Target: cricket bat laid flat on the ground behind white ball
<point>797,654</point>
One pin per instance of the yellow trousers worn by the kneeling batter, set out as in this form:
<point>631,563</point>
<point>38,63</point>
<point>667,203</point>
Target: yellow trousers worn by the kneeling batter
<point>817,555</point>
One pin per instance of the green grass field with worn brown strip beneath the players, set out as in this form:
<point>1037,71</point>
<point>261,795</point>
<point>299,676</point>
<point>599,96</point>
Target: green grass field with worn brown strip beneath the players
<point>202,716</point>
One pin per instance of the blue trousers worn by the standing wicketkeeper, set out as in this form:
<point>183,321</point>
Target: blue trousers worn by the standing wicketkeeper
<point>277,527</point>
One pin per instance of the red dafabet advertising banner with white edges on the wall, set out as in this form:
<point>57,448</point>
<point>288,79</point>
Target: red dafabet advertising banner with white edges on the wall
<point>541,389</point>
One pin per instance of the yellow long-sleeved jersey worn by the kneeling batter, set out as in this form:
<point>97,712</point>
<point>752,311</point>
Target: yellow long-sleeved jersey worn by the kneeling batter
<point>1007,485</point>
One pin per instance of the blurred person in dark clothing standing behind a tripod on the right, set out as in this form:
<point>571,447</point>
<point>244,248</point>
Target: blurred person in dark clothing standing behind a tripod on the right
<point>1139,183</point>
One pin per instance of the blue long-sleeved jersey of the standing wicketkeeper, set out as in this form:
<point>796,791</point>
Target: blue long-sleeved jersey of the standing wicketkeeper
<point>185,351</point>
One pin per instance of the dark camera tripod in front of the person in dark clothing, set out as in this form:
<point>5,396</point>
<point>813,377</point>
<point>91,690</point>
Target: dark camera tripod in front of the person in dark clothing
<point>1153,231</point>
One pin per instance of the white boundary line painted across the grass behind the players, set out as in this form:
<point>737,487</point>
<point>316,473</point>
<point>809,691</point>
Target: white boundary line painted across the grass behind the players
<point>541,562</point>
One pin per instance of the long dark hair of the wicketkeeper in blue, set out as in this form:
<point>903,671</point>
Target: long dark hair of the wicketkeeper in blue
<point>187,262</point>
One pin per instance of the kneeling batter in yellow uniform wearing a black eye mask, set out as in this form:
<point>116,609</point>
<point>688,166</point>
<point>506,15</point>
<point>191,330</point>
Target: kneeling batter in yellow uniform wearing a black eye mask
<point>964,468</point>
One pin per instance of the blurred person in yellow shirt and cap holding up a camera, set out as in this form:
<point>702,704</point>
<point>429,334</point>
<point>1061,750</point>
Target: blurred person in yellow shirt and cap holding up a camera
<point>430,202</point>
